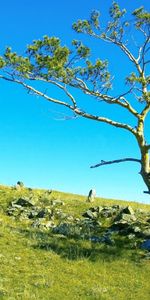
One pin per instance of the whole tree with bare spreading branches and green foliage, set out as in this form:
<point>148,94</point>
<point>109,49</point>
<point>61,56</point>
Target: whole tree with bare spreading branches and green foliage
<point>47,61</point>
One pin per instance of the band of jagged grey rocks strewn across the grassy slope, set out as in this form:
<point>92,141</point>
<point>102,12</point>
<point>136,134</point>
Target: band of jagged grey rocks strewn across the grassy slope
<point>100,224</point>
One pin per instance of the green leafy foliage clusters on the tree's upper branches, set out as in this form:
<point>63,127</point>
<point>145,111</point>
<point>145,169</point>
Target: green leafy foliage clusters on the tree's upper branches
<point>47,59</point>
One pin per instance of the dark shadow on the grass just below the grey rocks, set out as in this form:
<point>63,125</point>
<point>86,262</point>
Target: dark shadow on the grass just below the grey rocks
<point>73,248</point>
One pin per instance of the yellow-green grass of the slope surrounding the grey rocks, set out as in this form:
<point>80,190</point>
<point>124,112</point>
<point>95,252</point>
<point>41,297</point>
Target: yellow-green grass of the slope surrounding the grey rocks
<point>65,268</point>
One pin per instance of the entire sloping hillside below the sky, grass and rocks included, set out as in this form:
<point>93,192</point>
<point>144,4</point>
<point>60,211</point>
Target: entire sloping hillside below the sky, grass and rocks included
<point>55,245</point>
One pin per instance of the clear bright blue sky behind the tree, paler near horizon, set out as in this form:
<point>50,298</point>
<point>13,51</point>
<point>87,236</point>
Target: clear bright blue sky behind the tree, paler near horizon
<point>36,145</point>
